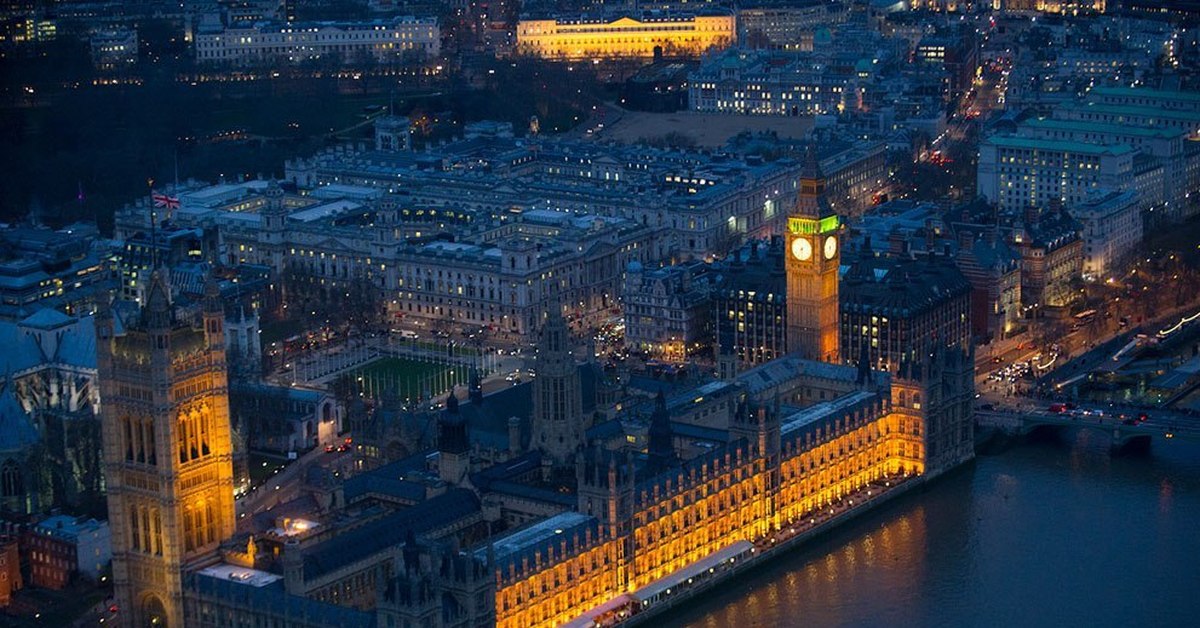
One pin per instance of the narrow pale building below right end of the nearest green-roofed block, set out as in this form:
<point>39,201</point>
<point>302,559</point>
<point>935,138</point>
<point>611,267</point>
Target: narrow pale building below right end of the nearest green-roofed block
<point>1113,228</point>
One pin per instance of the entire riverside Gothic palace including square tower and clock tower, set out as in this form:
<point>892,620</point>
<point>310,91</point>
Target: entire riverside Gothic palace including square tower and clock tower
<point>531,506</point>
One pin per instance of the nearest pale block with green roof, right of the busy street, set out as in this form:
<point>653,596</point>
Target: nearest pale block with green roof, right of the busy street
<point>1019,172</point>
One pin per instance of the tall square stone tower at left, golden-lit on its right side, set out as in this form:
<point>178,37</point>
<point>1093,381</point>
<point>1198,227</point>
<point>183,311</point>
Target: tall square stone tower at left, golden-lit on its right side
<point>167,450</point>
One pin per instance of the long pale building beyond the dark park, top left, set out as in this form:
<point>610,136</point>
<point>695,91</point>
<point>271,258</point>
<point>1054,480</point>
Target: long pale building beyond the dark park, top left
<point>341,43</point>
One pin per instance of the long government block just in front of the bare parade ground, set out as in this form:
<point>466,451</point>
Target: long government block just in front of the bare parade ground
<point>709,206</point>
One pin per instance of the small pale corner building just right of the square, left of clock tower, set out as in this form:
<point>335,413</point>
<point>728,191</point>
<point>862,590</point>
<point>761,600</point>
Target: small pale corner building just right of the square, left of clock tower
<point>668,310</point>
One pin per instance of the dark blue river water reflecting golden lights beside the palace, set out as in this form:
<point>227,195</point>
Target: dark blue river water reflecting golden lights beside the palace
<point>1046,534</point>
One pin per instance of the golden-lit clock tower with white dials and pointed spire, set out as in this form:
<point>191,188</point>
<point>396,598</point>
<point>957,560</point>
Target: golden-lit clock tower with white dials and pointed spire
<point>814,254</point>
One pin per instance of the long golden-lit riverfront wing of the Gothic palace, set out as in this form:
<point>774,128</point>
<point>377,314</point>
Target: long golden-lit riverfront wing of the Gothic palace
<point>633,531</point>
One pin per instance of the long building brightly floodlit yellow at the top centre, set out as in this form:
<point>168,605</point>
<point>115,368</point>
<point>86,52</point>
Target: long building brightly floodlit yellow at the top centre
<point>592,38</point>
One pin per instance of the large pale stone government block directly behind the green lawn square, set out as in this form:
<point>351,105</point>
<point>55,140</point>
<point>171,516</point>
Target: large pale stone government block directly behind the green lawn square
<point>499,271</point>
